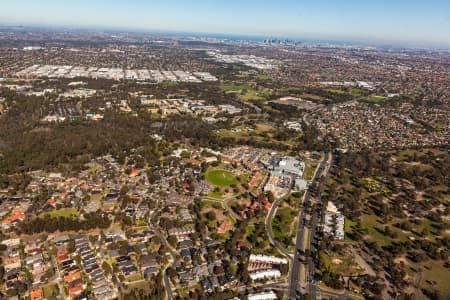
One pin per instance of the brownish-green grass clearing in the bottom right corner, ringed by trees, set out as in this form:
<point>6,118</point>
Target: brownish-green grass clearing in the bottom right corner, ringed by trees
<point>438,274</point>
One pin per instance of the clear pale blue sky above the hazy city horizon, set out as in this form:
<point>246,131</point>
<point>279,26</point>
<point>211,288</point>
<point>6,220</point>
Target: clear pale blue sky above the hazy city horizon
<point>396,22</point>
